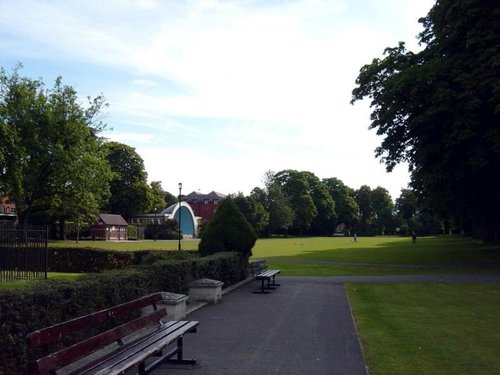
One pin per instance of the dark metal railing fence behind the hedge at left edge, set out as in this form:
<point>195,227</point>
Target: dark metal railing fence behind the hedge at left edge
<point>23,253</point>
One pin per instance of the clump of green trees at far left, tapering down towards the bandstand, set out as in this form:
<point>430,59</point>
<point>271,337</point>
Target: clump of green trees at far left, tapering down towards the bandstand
<point>55,166</point>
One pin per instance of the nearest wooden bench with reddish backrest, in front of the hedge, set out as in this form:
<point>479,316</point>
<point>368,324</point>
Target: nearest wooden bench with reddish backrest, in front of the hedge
<point>127,345</point>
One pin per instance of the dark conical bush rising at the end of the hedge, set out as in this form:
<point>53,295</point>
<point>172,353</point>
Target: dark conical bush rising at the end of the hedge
<point>228,230</point>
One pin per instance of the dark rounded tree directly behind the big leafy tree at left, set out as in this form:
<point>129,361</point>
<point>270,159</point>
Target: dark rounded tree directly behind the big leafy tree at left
<point>130,192</point>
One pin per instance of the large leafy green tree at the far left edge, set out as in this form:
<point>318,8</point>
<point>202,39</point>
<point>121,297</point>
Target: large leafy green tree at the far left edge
<point>51,159</point>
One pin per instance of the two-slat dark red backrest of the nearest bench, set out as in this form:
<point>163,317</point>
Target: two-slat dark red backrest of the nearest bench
<point>70,354</point>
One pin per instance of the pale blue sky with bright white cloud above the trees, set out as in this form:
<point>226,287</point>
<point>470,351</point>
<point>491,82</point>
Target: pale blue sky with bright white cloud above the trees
<point>215,93</point>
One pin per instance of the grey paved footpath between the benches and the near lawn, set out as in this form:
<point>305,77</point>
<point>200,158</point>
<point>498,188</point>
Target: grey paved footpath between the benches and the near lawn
<point>303,327</point>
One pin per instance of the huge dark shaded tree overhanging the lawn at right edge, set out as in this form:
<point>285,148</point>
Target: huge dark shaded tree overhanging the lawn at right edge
<point>439,110</point>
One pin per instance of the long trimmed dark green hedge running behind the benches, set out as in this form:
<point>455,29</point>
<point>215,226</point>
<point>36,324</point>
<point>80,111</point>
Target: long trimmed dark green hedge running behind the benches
<point>54,301</point>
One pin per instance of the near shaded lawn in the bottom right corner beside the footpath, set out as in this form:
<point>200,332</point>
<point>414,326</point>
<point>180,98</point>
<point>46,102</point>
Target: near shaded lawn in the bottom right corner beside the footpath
<point>428,328</point>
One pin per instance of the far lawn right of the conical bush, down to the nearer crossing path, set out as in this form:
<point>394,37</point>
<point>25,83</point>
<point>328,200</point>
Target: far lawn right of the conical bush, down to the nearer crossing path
<point>331,256</point>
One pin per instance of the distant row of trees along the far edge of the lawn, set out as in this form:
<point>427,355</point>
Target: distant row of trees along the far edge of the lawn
<point>298,202</point>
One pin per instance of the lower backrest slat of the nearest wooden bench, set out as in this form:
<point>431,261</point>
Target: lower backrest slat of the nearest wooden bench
<point>82,349</point>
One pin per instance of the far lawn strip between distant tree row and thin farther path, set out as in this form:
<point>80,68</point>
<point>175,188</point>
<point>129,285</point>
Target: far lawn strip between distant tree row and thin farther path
<point>444,250</point>
